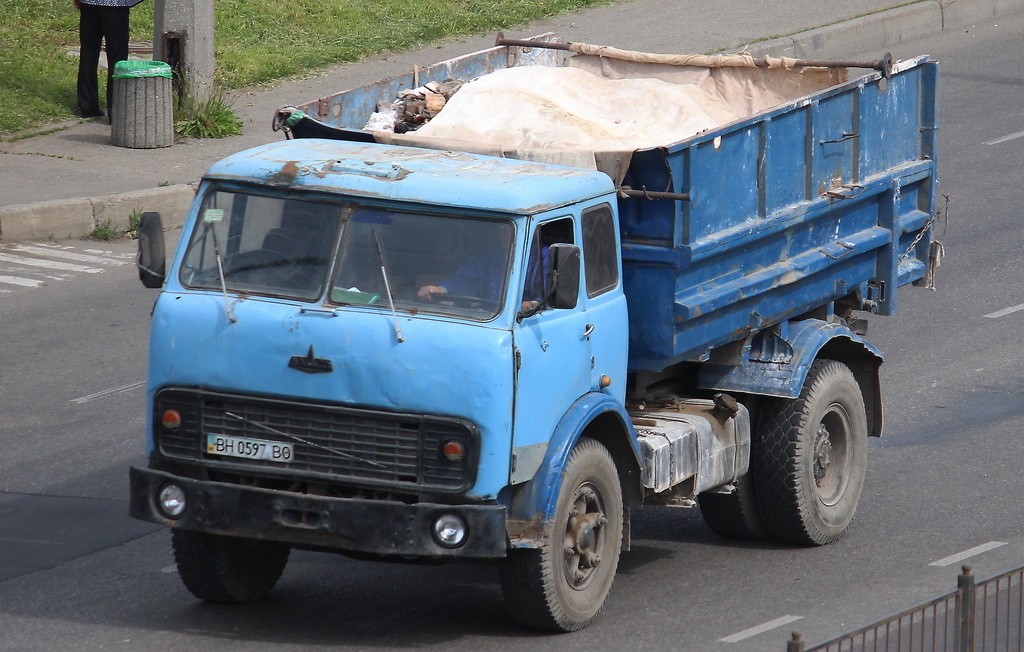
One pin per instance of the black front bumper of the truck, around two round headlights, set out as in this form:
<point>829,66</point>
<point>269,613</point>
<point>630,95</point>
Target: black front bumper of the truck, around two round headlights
<point>351,526</point>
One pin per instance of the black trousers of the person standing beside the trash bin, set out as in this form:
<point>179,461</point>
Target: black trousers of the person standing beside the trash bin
<point>98,24</point>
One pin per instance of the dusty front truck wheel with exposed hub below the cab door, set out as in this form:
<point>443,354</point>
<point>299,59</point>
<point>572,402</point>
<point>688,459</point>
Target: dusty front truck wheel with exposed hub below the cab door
<point>562,587</point>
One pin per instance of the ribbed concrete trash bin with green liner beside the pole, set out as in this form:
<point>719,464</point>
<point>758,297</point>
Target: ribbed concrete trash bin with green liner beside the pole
<point>143,107</point>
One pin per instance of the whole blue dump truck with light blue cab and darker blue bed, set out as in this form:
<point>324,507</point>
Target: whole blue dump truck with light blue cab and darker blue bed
<point>401,347</point>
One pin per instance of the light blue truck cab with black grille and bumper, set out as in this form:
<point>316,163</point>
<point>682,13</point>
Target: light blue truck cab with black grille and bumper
<point>360,345</point>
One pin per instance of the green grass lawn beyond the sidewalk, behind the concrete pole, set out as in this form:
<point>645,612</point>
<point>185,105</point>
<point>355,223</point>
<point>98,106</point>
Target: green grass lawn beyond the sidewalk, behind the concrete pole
<point>257,41</point>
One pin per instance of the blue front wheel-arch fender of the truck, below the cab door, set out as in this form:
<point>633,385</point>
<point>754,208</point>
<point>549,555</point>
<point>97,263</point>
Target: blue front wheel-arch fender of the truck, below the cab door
<point>532,505</point>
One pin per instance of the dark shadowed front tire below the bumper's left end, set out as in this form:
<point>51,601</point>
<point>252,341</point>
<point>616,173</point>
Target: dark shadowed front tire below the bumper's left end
<point>228,570</point>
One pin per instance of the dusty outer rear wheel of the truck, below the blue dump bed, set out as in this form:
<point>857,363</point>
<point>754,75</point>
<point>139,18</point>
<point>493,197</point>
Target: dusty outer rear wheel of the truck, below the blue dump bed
<point>814,458</point>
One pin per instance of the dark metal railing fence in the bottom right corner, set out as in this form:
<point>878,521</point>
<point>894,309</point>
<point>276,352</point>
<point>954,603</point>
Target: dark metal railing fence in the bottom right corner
<point>984,617</point>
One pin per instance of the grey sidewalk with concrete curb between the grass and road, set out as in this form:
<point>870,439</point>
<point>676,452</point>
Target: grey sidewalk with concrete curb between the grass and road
<point>69,180</point>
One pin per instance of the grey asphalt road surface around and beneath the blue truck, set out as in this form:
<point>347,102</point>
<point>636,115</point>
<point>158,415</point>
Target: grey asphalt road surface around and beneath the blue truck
<point>77,574</point>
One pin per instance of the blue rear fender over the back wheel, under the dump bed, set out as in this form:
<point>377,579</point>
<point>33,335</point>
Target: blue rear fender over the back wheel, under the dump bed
<point>783,374</point>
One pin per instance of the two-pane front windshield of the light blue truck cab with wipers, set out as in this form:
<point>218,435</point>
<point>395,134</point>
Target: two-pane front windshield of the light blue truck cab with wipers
<point>287,248</point>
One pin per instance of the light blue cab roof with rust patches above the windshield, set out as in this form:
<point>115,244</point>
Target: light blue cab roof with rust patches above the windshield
<point>433,177</point>
